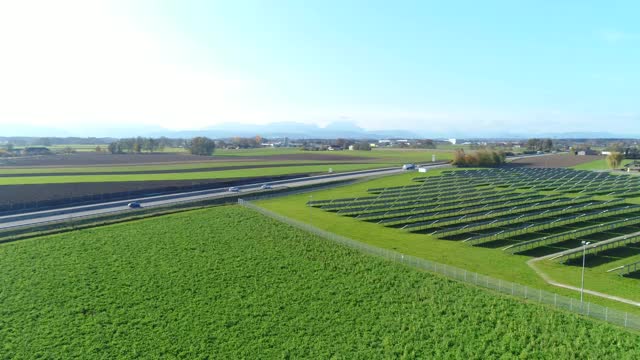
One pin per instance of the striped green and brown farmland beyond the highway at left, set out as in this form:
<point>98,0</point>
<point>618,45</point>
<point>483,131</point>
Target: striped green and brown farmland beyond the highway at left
<point>40,178</point>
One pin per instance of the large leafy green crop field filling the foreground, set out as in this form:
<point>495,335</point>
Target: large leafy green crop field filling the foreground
<point>228,283</point>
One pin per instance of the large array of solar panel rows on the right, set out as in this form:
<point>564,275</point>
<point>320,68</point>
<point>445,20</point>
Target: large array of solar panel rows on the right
<point>521,209</point>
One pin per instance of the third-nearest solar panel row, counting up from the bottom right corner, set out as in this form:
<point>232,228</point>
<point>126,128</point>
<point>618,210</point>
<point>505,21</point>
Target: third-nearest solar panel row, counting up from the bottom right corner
<point>571,234</point>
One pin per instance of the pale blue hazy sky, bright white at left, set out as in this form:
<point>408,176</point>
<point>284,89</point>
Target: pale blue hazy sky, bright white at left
<point>517,65</point>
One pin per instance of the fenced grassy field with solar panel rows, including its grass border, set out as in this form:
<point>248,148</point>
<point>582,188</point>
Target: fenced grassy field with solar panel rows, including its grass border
<point>466,218</point>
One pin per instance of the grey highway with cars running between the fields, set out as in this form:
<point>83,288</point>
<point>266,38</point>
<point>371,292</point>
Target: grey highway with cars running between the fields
<point>76,212</point>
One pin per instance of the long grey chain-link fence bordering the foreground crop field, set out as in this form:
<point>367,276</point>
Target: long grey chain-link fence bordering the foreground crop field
<point>617,317</point>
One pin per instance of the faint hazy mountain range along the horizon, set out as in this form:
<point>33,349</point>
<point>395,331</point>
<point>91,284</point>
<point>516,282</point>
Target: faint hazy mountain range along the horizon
<point>293,130</point>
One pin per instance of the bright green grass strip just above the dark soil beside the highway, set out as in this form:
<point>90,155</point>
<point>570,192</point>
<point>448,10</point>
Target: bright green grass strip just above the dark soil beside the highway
<point>222,174</point>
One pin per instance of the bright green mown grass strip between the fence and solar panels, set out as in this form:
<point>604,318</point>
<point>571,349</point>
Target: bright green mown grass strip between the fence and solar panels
<point>488,261</point>
